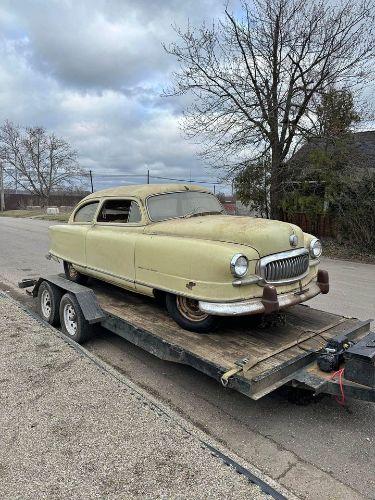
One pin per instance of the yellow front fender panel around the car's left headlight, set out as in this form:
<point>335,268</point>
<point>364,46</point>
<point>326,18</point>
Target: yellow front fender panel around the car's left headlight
<point>193,267</point>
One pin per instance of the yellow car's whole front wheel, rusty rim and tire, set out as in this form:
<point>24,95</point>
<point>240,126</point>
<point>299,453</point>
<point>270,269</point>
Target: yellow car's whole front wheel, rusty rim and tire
<point>187,314</point>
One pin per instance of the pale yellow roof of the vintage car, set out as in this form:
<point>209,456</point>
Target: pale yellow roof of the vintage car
<point>144,190</point>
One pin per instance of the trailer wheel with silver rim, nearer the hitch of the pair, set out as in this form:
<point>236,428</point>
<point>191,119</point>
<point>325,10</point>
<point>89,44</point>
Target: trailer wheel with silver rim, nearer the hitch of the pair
<point>73,322</point>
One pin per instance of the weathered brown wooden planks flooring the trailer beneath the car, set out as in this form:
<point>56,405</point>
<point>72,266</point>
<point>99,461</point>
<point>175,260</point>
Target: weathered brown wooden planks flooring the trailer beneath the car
<point>237,338</point>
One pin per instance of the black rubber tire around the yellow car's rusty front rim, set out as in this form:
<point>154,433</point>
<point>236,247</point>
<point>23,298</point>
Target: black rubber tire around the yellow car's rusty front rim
<point>205,325</point>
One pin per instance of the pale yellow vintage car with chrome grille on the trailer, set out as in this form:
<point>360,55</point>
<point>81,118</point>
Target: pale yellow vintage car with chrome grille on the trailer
<point>175,242</point>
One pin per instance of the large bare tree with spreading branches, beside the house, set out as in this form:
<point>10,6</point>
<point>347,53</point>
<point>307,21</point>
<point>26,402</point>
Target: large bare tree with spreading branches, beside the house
<point>254,80</point>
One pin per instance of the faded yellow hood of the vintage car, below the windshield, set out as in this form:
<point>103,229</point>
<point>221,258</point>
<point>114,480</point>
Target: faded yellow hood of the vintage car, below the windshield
<point>264,235</point>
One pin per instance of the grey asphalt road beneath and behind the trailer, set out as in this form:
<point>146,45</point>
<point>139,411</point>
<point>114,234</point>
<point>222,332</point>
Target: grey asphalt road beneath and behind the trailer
<point>319,451</point>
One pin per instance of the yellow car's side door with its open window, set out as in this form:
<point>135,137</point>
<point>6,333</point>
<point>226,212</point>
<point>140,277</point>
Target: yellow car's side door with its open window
<point>110,242</point>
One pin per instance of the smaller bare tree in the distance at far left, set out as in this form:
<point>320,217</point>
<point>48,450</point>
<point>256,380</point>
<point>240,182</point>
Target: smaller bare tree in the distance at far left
<point>40,163</point>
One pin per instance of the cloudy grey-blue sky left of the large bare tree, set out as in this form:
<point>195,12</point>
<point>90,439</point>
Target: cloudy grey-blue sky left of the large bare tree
<point>92,71</point>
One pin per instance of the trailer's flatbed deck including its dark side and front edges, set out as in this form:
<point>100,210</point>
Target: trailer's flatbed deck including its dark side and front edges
<point>274,352</point>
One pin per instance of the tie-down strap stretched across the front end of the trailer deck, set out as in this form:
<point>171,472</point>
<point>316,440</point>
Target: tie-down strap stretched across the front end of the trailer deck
<point>248,362</point>
